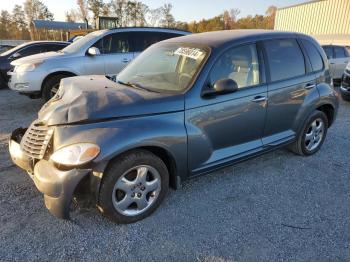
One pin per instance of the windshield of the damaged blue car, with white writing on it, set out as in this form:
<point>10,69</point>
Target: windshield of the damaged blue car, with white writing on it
<point>164,67</point>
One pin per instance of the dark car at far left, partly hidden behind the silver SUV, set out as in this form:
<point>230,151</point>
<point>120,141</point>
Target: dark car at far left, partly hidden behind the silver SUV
<point>25,50</point>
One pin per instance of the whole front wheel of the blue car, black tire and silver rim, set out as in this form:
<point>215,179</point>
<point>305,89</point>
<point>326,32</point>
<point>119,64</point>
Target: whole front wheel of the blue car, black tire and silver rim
<point>133,186</point>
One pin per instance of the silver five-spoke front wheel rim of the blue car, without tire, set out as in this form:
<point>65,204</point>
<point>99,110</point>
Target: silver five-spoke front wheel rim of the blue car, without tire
<point>136,190</point>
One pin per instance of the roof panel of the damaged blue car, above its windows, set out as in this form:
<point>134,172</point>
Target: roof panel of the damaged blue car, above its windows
<point>219,38</point>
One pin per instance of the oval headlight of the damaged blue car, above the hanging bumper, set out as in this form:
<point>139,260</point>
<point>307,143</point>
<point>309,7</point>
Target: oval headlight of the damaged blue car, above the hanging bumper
<point>76,154</point>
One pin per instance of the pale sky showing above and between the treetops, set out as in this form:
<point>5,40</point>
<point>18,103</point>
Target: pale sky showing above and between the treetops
<point>183,10</point>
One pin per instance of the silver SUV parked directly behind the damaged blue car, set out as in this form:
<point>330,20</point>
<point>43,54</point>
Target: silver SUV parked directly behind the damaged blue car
<point>104,52</point>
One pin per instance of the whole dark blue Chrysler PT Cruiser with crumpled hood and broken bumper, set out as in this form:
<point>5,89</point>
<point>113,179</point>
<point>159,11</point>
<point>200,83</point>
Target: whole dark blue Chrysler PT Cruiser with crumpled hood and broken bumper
<point>184,107</point>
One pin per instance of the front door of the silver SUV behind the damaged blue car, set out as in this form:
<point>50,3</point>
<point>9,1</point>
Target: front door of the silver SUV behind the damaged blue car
<point>118,51</point>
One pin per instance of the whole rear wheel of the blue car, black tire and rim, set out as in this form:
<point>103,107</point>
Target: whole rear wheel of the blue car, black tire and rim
<point>312,135</point>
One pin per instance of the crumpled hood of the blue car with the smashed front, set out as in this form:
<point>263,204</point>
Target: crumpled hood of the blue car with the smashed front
<point>96,98</point>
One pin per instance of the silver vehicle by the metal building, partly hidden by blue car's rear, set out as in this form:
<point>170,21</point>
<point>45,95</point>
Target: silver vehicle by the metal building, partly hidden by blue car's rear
<point>338,57</point>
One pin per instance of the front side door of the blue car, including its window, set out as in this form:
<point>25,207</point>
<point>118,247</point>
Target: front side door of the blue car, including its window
<point>229,126</point>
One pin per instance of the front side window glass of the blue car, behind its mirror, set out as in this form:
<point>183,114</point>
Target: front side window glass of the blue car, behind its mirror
<point>240,64</point>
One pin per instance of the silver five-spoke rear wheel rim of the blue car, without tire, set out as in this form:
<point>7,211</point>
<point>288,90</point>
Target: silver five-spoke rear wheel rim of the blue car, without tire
<point>314,135</point>
